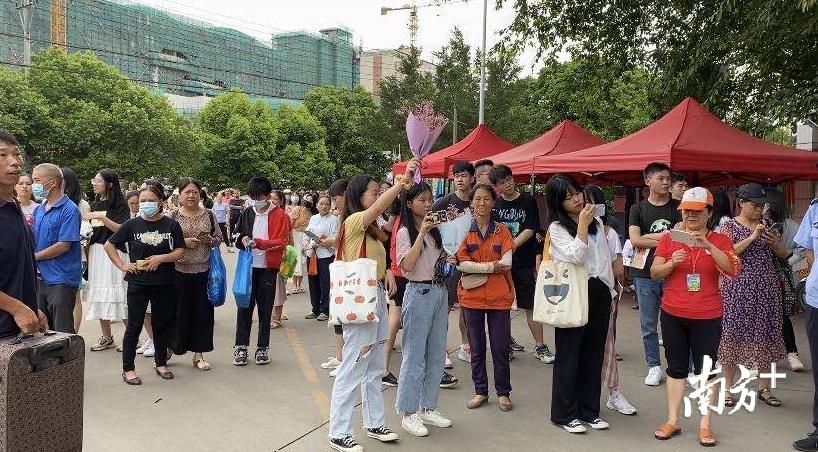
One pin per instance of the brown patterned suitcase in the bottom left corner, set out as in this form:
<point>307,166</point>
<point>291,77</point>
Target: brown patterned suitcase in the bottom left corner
<point>41,393</point>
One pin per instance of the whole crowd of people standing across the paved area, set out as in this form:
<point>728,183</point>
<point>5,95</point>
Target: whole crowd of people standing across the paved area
<point>141,256</point>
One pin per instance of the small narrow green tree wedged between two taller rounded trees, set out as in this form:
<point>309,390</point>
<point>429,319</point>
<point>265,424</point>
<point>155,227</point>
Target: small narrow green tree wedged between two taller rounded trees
<point>302,155</point>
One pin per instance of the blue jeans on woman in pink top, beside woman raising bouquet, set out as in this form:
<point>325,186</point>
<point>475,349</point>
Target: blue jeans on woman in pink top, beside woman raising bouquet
<point>425,319</point>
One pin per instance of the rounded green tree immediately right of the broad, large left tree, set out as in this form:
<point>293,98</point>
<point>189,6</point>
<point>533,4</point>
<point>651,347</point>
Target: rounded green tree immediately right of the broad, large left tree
<point>241,139</point>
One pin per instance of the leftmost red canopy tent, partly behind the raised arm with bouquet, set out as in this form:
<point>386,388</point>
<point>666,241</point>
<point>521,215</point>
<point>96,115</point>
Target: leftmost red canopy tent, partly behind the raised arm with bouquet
<point>480,143</point>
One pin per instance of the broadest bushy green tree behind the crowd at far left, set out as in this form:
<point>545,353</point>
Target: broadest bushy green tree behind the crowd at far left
<point>99,119</point>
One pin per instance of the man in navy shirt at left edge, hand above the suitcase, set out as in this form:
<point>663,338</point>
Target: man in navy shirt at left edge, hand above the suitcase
<point>18,280</point>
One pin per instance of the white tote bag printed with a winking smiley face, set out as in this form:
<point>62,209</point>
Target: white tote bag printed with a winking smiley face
<point>561,297</point>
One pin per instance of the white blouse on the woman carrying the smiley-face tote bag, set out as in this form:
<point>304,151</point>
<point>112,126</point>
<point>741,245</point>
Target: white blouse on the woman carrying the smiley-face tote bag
<point>595,255</point>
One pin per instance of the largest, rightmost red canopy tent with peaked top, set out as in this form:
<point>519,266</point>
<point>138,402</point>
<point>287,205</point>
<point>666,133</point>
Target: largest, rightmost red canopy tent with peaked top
<point>692,141</point>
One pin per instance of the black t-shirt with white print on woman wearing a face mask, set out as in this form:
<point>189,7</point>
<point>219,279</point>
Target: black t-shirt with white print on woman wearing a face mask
<point>149,238</point>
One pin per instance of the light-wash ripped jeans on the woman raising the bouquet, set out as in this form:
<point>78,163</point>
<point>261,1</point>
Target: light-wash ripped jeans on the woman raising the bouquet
<point>363,370</point>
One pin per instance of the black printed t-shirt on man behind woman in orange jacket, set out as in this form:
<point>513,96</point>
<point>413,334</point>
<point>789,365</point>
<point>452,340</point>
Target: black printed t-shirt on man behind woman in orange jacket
<point>520,214</point>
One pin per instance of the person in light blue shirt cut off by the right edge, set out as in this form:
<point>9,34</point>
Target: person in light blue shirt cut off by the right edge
<point>807,237</point>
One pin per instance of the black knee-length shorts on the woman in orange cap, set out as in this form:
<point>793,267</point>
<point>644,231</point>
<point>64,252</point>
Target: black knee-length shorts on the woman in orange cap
<point>689,339</point>
